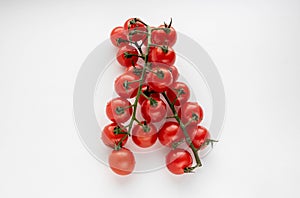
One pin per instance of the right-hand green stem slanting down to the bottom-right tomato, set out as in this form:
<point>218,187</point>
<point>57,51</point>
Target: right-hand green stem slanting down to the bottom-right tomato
<point>187,137</point>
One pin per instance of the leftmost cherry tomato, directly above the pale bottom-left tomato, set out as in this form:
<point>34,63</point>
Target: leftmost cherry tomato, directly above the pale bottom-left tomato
<point>109,138</point>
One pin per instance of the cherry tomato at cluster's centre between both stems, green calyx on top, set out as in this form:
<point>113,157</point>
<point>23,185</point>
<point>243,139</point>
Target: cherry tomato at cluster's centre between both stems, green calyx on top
<point>153,110</point>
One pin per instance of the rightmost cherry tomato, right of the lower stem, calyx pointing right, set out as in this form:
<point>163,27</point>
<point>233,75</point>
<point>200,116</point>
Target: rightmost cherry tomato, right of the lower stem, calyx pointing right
<point>198,135</point>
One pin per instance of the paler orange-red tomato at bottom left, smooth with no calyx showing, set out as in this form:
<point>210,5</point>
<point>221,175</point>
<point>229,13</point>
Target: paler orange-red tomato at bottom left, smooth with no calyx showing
<point>122,161</point>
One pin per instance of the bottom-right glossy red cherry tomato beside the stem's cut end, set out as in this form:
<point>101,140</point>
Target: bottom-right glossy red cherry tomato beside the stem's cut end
<point>177,160</point>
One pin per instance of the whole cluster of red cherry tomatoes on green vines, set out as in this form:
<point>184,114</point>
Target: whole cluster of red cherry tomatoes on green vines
<point>150,81</point>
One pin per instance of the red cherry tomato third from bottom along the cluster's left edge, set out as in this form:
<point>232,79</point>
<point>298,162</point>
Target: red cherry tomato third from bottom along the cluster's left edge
<point>118,110</point>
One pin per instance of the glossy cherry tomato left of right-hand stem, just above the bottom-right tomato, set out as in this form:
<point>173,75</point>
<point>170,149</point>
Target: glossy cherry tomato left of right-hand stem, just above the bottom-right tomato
<point>169,133</point>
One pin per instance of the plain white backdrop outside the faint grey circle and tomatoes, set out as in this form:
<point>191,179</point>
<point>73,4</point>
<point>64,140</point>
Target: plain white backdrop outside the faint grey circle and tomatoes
<point>255,45</point>
